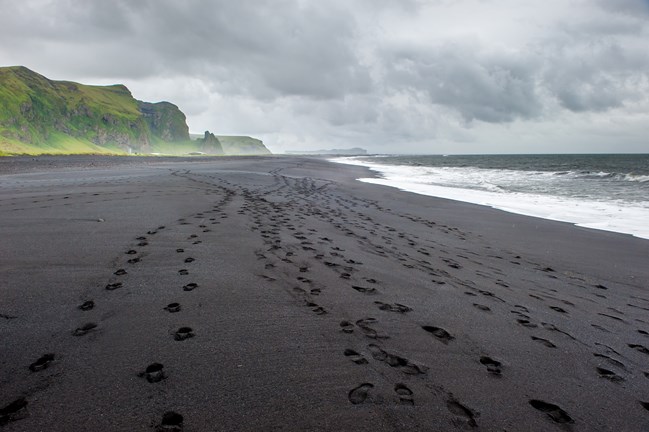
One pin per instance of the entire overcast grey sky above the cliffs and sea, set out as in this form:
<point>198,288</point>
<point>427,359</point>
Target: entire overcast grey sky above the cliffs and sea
<point>403,76</point>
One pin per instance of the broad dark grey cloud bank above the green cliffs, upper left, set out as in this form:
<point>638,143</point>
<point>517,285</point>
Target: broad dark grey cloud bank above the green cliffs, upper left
<point>267,48</point>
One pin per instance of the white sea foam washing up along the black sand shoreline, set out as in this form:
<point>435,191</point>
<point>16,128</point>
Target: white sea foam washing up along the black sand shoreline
<point>521,192</point>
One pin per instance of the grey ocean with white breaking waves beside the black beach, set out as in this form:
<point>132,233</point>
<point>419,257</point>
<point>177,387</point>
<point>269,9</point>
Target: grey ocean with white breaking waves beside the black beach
<point>606,192</point>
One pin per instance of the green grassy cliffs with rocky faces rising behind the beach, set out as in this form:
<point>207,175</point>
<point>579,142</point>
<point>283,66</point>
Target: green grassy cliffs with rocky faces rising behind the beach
<point>39,115</point>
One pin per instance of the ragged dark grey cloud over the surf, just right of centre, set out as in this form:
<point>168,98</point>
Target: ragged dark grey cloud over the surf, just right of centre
<point>479,86</point>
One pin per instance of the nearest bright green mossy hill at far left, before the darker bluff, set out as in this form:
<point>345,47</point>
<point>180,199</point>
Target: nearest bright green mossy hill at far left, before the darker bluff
<point>33,108</point>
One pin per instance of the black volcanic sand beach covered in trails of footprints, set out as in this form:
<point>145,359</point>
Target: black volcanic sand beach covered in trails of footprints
<point>305,300</point>
